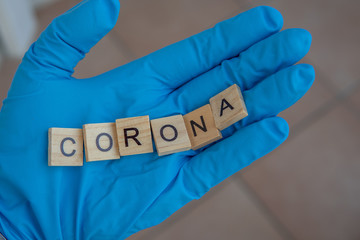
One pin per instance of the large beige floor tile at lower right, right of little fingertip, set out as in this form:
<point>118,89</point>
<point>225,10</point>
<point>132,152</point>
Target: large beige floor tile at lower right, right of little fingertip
<point>311,183</point>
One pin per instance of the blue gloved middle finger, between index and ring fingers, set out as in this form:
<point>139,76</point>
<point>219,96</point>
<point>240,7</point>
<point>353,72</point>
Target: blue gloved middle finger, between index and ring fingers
<point>252,66</point>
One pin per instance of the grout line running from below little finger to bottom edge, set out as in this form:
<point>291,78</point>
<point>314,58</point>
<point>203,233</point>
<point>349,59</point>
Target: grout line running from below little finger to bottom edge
<point>260,204</point>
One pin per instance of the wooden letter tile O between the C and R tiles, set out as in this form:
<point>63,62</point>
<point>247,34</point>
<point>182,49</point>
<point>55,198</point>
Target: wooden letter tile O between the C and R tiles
<point>100,142</point>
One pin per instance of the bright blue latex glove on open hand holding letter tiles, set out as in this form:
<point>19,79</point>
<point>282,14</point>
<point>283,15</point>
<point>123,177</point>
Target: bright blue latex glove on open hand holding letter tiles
<point>114,199</point>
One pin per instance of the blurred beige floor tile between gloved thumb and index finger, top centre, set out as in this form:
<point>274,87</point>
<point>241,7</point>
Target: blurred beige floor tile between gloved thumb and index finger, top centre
<point>147,26</point>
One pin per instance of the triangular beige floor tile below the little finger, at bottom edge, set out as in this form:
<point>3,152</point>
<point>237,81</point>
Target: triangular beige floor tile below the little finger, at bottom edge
<point>226,212</point>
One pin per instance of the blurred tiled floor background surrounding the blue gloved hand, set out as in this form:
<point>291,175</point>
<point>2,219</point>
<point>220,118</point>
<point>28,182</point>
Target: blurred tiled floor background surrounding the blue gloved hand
<point>308,188</point>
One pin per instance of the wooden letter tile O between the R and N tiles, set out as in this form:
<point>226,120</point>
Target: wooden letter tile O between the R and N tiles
<point>170,135</point>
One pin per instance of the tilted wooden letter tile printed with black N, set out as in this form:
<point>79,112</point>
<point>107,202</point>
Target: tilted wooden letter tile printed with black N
<point>201,127</point>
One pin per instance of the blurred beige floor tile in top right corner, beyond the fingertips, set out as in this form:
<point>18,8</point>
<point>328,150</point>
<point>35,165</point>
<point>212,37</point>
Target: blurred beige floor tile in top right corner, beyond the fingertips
<point>334,26</point>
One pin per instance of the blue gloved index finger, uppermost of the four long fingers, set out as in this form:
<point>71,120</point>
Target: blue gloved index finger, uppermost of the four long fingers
<point>180,62</point>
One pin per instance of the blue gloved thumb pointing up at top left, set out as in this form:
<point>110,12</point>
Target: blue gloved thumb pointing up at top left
<point>70,36</point>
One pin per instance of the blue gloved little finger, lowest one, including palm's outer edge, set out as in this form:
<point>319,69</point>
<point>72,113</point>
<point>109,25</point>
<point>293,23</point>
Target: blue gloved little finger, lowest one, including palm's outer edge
<point>213,165</point>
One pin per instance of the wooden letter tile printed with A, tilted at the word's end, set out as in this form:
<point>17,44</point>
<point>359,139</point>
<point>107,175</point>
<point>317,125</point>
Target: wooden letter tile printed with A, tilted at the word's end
<point>228,107</point>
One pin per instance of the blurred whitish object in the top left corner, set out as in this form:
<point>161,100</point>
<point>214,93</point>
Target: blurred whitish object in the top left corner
<point>17,26</point>
